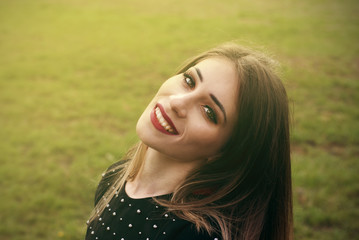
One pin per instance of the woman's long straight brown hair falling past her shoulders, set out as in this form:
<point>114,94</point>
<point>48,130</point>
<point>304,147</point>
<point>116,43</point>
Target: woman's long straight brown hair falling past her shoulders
<point>248,189</point>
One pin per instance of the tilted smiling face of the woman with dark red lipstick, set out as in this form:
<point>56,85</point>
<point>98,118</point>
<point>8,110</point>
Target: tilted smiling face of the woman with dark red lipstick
<point>193,114</point>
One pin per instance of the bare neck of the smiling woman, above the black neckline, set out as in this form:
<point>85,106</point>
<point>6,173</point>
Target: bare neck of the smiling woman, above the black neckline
<point>159,175</point>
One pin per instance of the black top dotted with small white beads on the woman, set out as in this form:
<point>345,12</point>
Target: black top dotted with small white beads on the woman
<point>125,218</point>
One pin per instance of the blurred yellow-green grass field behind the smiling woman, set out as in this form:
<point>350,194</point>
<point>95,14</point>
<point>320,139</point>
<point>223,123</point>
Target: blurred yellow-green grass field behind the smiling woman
<point>75,75</point>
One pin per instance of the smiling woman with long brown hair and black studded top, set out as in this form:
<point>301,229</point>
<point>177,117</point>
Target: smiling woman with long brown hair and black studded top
<point>213,161</point>
